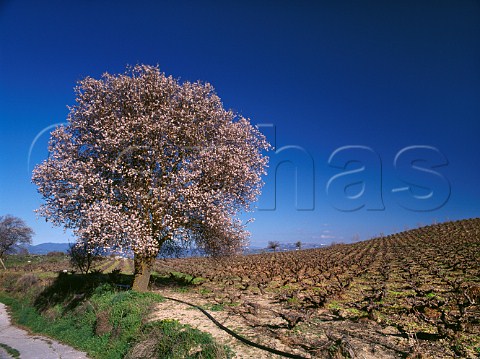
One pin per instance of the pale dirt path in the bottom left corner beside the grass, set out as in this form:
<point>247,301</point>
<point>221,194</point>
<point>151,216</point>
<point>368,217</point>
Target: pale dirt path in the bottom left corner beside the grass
<point>32,346</point>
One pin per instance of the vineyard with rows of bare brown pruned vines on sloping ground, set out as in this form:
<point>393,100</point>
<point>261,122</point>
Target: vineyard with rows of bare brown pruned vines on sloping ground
<point>412,294</point>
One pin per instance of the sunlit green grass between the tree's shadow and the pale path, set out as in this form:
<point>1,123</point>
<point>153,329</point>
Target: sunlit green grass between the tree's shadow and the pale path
<point>124,312</point>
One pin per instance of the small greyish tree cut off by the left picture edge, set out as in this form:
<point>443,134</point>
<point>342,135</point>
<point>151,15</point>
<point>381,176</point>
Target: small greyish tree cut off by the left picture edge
<point>13,234</point>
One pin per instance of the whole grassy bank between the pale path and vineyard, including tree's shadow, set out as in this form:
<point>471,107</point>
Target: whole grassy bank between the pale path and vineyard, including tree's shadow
<point>92,314</point>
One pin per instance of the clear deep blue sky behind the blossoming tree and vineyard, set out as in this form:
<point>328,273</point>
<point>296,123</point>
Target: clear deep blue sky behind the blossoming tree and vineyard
<point>327,75</point>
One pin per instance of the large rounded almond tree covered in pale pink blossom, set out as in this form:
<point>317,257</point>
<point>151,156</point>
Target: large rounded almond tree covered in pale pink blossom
<point>144,159</point>
